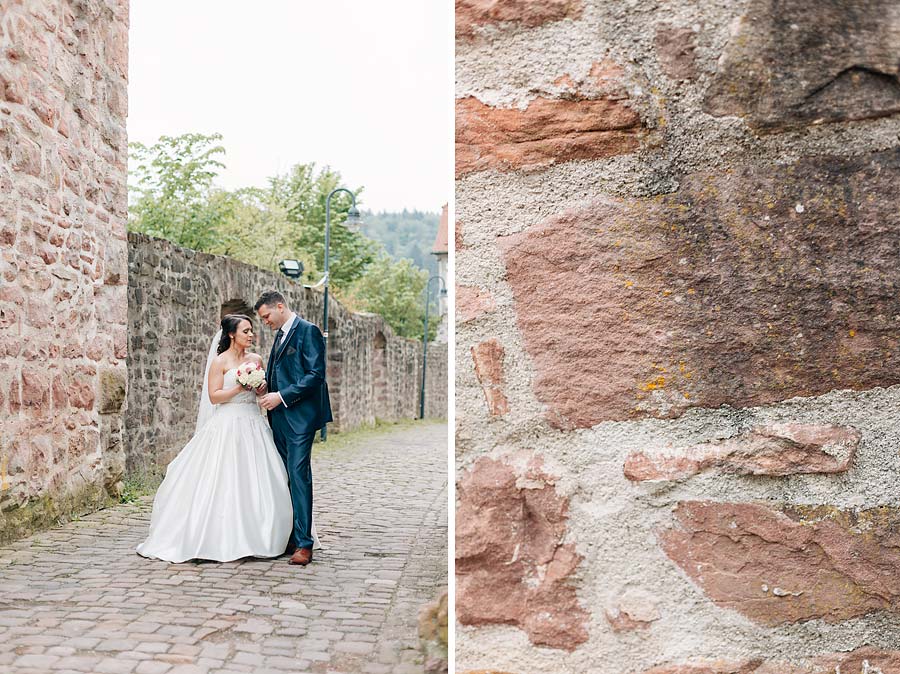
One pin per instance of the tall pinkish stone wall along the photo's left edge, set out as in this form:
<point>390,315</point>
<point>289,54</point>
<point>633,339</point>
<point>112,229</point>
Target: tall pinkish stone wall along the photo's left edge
<point>63,102</point>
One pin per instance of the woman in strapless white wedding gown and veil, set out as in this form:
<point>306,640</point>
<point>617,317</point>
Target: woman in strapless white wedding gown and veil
<point>225,496</point>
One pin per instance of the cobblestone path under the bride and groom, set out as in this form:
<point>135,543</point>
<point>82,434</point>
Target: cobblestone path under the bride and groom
<point>79,599</point>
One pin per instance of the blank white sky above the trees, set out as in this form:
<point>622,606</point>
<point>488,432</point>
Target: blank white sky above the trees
<point>364,87</point>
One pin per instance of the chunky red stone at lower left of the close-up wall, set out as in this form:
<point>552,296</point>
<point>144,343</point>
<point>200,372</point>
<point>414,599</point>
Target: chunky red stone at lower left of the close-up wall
<point>511,565</point>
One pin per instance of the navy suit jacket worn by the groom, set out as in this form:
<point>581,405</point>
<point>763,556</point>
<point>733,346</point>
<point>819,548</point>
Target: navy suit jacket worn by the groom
<point>297,371</point>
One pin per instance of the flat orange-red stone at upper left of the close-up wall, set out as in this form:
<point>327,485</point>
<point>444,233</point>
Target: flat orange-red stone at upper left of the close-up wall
<point>546,132</point>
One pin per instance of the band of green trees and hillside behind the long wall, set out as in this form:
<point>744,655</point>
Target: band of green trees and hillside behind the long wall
<point>172,195</point>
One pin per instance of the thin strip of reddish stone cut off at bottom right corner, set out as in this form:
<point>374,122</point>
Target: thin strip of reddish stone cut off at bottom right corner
<point>863,660</point>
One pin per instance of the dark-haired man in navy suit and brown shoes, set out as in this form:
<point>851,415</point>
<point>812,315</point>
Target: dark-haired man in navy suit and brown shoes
<point>297,401</point>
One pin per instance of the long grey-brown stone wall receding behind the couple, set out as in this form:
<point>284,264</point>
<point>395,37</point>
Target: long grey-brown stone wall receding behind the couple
<point>175,300</point>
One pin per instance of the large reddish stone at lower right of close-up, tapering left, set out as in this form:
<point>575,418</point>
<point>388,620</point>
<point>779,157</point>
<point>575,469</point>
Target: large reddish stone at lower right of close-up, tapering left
<point>758,560</point>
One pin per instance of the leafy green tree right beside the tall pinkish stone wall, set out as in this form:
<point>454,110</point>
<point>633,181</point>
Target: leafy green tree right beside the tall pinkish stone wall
<point>173,195</point>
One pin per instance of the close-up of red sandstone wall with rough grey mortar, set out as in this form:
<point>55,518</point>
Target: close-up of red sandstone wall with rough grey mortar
<point>678,321</point>
